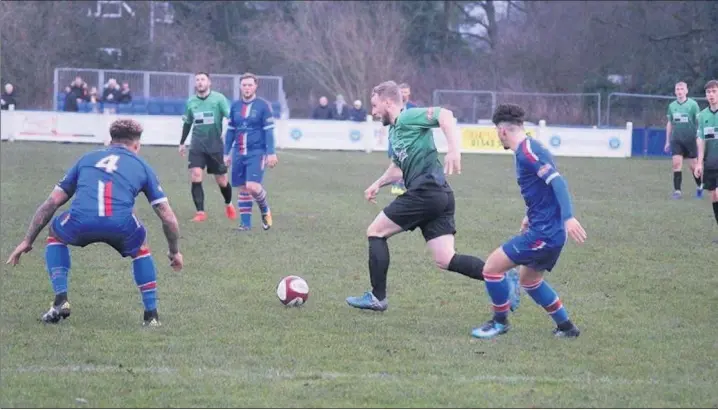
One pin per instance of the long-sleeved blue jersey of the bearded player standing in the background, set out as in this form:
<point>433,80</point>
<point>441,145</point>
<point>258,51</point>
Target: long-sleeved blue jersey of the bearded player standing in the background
<point>251,127</point>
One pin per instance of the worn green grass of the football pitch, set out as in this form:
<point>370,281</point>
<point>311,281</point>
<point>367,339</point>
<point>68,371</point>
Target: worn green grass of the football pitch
<point>642,289</point>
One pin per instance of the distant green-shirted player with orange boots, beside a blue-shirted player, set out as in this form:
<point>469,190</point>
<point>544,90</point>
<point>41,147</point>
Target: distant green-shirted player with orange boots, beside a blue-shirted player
<point>205,115</point>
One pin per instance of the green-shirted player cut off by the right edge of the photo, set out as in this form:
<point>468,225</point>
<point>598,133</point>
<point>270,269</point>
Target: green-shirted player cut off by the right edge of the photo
<point>707,166</point>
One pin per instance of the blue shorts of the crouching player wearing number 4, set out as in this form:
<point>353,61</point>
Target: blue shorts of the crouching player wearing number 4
<point>126,235</point>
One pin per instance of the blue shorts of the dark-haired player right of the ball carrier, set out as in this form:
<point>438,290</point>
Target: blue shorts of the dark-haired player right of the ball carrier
<point>533,250</point>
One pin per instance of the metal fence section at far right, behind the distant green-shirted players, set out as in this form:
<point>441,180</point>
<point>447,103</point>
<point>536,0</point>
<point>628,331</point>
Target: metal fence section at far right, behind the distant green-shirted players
<point>644,110</point>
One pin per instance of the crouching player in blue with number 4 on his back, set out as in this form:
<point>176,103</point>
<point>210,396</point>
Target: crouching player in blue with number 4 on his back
<point>105,184</point>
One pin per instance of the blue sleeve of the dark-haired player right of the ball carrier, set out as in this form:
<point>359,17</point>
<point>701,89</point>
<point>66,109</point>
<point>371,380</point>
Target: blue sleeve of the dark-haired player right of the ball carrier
<point>539,161</point>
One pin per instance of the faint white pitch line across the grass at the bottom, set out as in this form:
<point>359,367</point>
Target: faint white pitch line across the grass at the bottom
<point>269,374</point>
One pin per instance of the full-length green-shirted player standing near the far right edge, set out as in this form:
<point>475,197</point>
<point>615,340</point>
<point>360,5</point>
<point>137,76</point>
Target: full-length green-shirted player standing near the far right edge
<point>681,137</point>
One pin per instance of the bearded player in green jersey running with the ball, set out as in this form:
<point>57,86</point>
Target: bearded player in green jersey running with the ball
<point>428,202</point>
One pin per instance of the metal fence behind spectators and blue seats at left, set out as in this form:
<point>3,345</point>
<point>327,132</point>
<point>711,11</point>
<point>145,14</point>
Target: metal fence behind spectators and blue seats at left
<point>168,85</point>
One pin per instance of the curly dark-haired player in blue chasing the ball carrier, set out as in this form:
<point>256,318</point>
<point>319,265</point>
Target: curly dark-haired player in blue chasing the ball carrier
<point>549,220</point>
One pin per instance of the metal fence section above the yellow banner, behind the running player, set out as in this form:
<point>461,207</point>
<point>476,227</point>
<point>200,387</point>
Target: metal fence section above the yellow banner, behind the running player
<point>471,106</point>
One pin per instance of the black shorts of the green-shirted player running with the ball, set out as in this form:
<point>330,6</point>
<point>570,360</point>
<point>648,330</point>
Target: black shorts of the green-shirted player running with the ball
<point>428,205</point>
